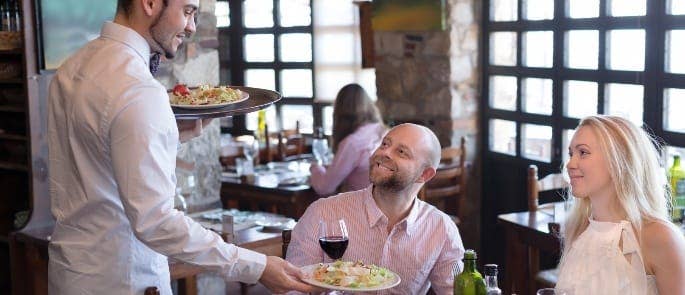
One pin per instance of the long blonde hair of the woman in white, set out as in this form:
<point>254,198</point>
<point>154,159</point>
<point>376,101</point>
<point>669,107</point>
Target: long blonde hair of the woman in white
<point>633,162</point>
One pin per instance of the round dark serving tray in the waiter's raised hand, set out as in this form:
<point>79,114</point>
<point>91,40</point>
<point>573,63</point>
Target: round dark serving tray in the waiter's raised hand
<point>259,99</point>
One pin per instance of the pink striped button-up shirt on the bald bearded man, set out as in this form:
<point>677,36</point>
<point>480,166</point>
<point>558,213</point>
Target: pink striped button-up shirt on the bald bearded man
<point>424,249</point>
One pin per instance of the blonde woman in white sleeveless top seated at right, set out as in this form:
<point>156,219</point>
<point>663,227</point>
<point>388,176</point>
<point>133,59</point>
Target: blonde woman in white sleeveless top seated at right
<point>618,237</point>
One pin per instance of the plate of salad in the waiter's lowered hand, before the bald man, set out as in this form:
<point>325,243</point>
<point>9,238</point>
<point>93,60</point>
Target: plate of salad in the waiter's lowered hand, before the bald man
<point>350,276</point>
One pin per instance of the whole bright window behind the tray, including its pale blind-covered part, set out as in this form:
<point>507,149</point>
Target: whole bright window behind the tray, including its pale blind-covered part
<point>305,49</point>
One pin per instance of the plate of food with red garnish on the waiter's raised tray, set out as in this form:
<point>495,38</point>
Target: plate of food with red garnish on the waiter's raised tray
<point>205,96</point>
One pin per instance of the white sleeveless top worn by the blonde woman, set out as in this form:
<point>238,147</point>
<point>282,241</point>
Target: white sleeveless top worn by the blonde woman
<point>596,264</point>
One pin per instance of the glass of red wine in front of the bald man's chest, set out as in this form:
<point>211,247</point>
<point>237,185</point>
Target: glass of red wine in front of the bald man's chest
<point>333,238</point>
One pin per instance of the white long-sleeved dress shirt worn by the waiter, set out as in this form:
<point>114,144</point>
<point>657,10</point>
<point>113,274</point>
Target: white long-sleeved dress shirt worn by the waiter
<point>113,141</point>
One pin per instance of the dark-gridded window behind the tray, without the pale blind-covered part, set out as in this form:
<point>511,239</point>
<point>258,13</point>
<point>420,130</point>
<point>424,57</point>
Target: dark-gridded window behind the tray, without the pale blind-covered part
<point>269,45</point>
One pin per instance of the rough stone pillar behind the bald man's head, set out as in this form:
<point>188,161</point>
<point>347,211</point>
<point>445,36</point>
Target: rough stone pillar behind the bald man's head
<point>432,78</point>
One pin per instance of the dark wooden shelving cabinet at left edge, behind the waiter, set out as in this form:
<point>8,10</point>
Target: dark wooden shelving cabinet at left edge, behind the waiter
<point>23,142</point>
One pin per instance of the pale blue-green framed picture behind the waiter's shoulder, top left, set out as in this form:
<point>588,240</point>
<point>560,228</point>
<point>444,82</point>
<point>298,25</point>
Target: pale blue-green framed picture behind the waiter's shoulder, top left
<point>67,25</point>
